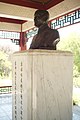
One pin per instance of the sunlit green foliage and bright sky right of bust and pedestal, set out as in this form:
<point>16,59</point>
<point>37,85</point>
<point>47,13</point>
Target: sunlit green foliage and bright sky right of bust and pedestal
<point>70,41</point>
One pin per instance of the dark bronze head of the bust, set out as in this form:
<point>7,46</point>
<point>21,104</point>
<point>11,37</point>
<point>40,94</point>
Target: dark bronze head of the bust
<point>41,17</point>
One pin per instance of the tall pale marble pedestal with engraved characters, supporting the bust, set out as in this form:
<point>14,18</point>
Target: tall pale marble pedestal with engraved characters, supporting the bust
<point>42,85</point>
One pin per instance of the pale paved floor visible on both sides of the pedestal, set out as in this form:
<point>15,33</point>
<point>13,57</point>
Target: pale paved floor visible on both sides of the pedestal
<point>6,108</point>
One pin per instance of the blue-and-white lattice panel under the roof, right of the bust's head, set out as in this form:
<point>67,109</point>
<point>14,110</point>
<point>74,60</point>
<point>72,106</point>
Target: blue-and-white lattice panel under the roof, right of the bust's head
<point>66,19</point>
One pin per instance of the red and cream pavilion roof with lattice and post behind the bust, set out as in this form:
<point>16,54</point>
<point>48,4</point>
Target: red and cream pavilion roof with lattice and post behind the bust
<point>16,17</point>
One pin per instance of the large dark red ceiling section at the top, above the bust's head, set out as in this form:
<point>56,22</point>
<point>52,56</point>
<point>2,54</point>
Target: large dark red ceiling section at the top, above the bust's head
<point>34,4</point>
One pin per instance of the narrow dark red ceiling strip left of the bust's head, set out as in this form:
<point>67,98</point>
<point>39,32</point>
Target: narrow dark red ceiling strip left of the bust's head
<point>9,20</point>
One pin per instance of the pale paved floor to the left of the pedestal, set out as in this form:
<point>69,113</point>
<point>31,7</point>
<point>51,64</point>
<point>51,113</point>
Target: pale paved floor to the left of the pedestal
<point>6,107</point>
